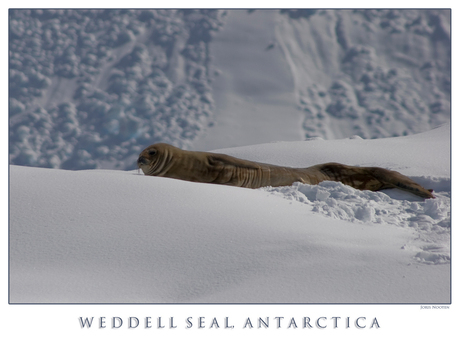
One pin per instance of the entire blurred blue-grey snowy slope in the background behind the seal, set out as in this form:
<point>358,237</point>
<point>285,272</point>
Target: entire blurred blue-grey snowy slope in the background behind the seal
<point>92,88</point>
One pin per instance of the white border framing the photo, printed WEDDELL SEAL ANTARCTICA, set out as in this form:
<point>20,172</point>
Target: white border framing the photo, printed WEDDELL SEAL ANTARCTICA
<point>61,321</point>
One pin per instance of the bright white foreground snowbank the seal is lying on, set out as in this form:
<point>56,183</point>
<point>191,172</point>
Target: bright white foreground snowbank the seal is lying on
<point>118,236</point>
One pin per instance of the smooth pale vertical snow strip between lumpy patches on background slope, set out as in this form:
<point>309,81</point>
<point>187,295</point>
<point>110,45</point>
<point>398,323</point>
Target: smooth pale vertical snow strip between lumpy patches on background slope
<point>257,105</point>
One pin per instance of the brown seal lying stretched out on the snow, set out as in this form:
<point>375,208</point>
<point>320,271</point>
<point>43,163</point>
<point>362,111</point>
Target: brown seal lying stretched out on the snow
<point>165,160</point>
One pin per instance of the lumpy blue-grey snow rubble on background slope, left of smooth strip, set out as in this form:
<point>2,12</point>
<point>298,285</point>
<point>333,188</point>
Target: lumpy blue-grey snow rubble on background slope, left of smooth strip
<point>86,80</point>
